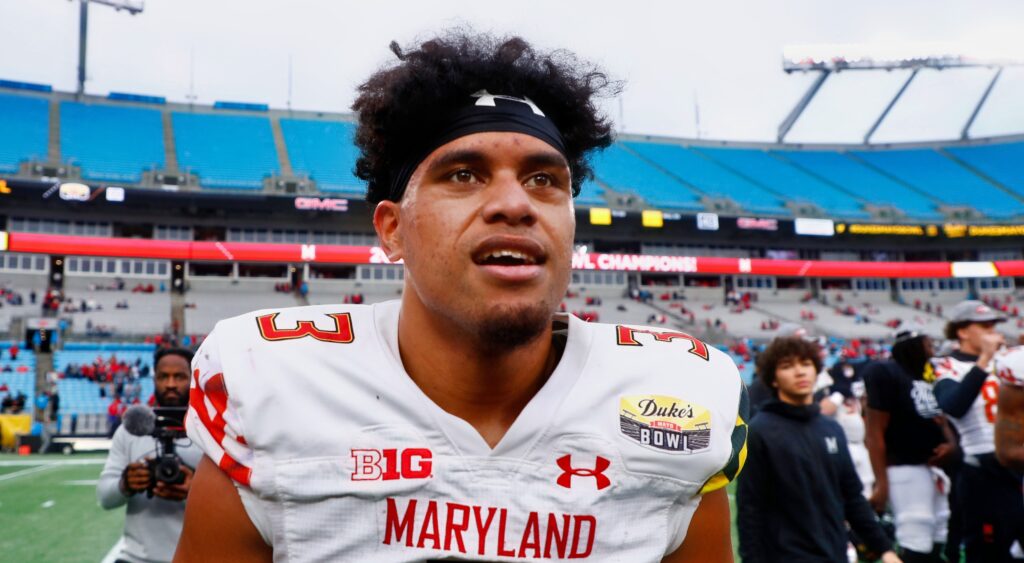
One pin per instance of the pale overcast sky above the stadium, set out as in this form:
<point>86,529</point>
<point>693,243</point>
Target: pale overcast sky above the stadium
<point>722,56</point>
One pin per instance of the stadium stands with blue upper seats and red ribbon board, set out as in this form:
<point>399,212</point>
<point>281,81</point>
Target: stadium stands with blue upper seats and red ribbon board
<point>139,224</point>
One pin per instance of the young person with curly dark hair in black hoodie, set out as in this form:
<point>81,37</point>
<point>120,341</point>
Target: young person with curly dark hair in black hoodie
<point>799,486</point>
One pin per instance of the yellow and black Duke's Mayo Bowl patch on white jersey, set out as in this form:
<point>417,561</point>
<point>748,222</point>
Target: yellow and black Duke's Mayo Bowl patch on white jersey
<point>666,424</point>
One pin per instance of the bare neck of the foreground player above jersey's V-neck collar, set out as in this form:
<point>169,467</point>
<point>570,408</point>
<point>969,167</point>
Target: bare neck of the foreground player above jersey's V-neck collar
<point>486,388</point>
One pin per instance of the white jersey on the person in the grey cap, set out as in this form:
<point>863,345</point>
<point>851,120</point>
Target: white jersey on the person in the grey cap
<point>976,427</point>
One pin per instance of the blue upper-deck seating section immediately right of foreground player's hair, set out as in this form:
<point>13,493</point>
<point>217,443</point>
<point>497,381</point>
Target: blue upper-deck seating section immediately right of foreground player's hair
<point>624,171</point>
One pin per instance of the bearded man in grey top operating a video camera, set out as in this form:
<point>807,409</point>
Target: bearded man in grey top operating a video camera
<point>153,525</point>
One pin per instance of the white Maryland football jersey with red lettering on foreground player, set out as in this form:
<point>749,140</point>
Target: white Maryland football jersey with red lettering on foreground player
<point>312,409</point>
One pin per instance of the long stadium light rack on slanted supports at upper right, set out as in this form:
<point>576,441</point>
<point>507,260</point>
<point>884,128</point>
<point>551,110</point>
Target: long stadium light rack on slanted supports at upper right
<point>827,60</point>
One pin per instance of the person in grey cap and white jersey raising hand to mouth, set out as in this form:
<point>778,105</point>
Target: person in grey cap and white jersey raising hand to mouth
<point>967,391</point>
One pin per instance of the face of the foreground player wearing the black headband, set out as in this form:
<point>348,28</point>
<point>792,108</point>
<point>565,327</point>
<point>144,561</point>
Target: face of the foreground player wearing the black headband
<point>486,230</point>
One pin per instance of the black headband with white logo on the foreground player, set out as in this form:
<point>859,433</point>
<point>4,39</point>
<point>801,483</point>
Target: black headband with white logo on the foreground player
<point>488,114</point>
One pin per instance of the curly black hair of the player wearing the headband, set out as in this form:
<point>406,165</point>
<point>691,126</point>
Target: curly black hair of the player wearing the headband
<point>403,103</point>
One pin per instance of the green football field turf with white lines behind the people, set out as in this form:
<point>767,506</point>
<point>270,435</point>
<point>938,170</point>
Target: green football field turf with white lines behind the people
<point>49,510</point>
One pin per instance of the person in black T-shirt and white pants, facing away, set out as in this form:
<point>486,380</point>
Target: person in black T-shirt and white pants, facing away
<point>909,441</point>
